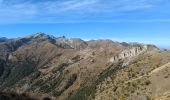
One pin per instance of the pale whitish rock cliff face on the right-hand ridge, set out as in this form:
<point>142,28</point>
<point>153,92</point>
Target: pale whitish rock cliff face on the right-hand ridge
<point>129,52</point>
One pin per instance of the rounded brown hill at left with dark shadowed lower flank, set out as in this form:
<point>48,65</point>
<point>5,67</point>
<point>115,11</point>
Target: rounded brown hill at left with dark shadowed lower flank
<point>27,59</point>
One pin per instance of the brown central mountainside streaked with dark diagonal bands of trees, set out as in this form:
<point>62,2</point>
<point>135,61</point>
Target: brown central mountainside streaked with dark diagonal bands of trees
<point>64,74</point>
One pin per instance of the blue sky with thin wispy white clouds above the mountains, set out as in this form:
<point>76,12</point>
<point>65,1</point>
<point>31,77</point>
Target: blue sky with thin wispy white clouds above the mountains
<point>145,21</point>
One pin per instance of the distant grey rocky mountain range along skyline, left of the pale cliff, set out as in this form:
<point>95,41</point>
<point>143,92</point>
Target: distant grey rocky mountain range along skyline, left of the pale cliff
<point>74,43</point>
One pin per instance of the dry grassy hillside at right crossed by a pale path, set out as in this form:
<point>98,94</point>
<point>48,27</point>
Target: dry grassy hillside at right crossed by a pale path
<point>145,78</point>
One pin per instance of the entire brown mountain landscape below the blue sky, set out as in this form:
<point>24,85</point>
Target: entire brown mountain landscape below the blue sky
<point>61,68</point>
